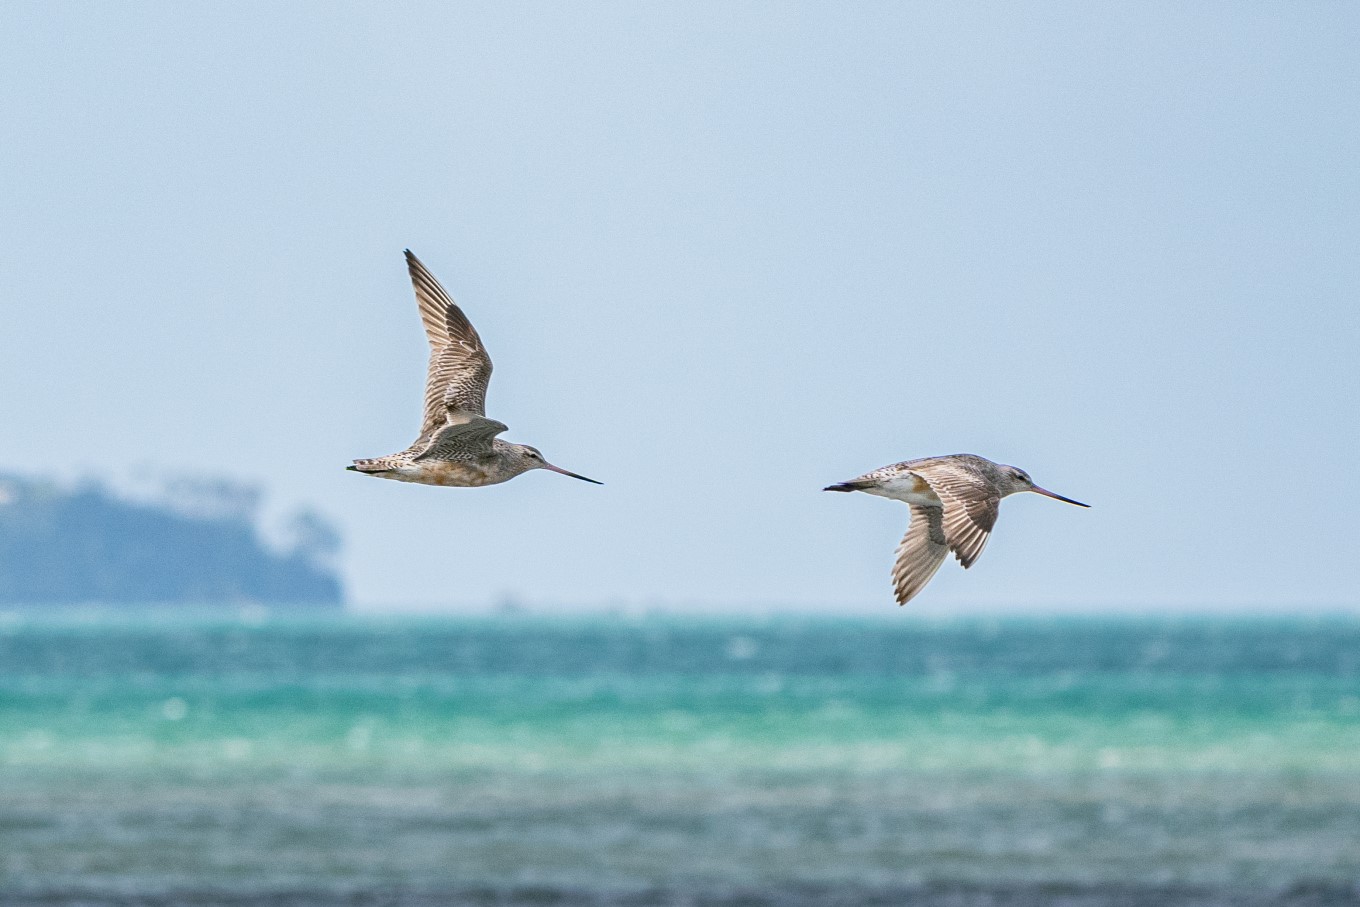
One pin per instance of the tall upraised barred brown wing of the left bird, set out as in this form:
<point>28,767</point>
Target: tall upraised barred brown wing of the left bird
<point>460,368</point>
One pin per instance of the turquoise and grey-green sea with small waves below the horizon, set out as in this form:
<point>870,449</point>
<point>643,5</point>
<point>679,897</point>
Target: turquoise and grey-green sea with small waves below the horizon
<point>652,762</point>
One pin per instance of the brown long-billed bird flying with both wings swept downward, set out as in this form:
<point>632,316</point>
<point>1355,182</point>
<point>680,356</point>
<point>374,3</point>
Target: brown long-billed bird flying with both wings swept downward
<point>954,505</point>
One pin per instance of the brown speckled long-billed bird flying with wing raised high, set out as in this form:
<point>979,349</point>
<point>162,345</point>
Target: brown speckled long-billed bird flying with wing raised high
<point>458,444</point>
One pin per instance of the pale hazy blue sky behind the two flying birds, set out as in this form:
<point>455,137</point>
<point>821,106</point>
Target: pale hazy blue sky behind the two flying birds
<point>723,255</point>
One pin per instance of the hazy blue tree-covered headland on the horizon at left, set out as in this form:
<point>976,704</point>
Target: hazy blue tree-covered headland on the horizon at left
<point>192,543</point>
